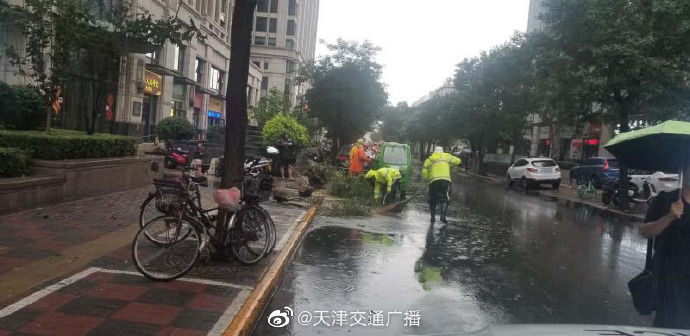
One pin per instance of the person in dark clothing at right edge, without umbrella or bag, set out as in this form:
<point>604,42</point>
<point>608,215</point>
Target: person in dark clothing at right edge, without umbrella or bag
<point>668,221</point>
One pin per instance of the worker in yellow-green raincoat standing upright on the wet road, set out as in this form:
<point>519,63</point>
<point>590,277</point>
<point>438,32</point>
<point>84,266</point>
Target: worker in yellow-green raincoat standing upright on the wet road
<point>436,171</point>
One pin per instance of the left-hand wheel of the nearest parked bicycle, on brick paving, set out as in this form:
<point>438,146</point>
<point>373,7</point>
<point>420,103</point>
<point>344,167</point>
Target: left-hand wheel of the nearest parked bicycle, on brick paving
<point>168,256</point>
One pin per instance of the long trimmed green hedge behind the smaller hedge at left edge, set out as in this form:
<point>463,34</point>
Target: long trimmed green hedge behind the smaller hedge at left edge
<point>61,144</point>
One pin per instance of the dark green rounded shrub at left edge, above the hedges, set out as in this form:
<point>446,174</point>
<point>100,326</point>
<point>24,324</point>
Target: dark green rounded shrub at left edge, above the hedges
<point>21,108</point>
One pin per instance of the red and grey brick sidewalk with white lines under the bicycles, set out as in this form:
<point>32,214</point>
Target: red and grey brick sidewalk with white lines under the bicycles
<point>104,295</point>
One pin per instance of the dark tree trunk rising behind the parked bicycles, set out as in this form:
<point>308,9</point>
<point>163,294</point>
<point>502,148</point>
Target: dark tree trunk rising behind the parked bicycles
<point>236,101</point>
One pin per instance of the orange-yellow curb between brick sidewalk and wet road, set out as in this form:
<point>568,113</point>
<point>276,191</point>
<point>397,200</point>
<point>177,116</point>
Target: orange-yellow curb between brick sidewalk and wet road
<point>253,307</point>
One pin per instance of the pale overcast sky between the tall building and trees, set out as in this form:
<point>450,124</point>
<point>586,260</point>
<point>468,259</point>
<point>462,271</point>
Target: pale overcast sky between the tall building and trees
<point>421,40</point>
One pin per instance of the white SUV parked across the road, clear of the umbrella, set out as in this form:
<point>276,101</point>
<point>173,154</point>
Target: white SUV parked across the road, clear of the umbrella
<point>530,172</point>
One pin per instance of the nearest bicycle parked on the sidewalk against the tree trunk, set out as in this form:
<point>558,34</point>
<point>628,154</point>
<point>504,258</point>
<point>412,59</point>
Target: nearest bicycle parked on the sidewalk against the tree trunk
<point>168,246</point>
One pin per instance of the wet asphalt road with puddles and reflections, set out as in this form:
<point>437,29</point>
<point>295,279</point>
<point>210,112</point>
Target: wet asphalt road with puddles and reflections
<point>504,257</point>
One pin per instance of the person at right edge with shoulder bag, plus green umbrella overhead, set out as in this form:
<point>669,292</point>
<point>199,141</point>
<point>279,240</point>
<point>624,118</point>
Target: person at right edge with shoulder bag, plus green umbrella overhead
<point>664,285</point>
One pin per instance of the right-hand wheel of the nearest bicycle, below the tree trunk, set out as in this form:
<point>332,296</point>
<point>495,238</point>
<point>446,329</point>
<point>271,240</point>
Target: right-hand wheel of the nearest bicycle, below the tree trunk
<point>249,237</point>
